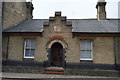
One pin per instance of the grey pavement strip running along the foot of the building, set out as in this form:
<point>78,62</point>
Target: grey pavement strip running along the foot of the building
<point>32,76</point>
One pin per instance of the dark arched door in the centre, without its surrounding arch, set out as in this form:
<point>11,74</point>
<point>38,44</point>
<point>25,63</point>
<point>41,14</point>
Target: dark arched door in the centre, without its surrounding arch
<point>57,55</point>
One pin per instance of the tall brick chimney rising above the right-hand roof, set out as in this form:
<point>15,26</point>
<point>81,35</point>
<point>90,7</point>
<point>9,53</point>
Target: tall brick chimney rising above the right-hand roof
<point>101,11</point>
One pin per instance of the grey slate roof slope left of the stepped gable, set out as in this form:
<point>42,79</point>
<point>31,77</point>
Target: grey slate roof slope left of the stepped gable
<point>27,26</point>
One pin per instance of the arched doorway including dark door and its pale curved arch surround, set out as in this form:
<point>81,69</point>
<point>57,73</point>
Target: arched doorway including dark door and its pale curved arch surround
<point>56,49</point>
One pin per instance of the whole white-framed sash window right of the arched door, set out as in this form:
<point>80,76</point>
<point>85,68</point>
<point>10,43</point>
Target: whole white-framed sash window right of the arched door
<point>86,50</point>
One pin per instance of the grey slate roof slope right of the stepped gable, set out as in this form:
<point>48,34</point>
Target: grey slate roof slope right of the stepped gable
<point>95,26</point>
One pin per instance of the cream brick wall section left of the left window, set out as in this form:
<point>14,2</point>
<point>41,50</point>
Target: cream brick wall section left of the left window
<point>16,48</point>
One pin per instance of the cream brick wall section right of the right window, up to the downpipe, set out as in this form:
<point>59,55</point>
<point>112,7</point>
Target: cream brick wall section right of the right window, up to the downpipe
<point>104,50</point>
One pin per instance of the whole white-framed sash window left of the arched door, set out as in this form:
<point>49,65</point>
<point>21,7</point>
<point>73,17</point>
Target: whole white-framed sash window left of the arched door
<point>29,48</point>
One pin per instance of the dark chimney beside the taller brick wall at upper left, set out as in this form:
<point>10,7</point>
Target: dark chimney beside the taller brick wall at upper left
<point>29,10</point>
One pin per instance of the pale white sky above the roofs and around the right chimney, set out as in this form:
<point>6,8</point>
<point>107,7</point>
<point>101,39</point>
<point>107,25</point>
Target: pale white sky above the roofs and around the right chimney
<point>73,9</point>
